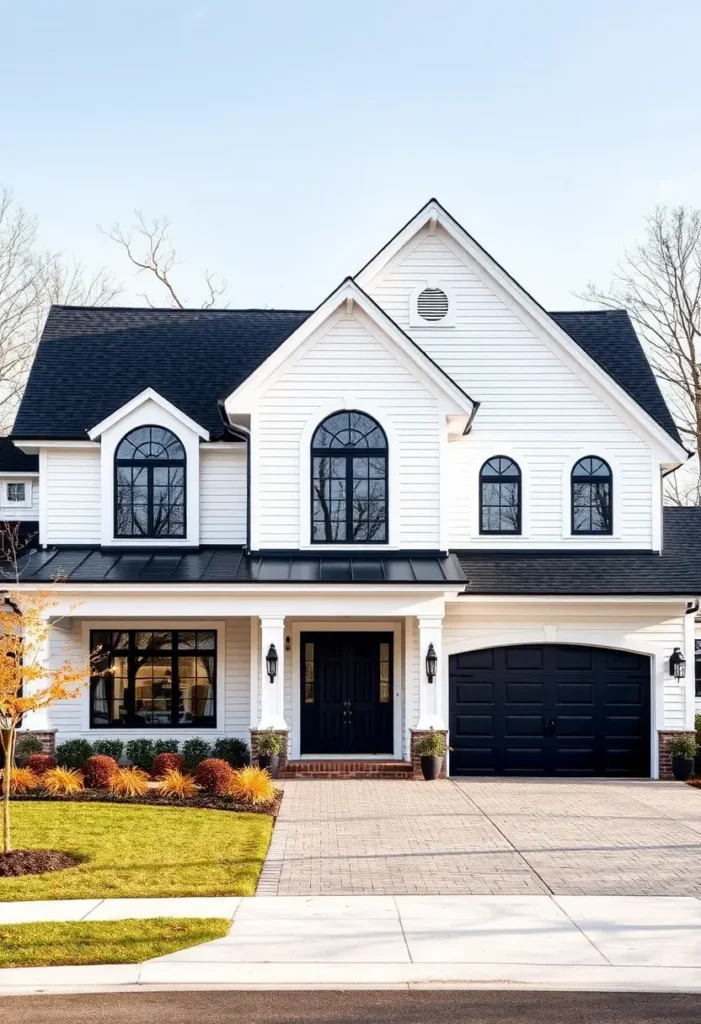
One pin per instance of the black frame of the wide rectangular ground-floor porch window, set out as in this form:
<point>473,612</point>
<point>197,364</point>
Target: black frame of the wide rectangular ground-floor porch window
<point>130,653</point>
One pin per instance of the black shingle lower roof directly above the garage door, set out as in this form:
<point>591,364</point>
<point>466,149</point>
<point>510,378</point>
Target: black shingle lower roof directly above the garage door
<point>676,572</point>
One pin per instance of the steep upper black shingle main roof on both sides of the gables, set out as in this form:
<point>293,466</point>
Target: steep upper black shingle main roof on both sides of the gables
<point>93,361</point>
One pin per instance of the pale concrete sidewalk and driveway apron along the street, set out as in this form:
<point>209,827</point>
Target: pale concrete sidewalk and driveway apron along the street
<point>571,943</point>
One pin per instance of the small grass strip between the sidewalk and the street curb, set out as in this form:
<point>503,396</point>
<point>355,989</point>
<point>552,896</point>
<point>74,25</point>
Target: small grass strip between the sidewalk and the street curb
<point>75,943</point>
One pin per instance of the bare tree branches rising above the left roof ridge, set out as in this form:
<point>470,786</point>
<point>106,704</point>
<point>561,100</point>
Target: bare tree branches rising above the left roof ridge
<point>149,247</point>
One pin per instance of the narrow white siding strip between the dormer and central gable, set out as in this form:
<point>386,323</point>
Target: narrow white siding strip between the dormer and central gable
<point>223,496</point>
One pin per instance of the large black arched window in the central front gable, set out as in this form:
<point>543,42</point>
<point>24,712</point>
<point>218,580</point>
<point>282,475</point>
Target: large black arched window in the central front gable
<point>349,481</point>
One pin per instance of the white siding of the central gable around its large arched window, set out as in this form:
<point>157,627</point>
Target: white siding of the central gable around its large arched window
<point>347,363</point>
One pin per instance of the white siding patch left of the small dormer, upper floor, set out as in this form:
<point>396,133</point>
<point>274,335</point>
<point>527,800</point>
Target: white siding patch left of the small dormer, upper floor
<point>72,496</point>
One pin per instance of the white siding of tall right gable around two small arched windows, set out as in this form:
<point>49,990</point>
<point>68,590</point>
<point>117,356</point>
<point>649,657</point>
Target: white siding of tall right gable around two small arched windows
<point>531,402</point>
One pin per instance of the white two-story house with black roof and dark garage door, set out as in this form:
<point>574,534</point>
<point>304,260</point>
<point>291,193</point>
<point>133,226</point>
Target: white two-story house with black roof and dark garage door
<point>429,503</point>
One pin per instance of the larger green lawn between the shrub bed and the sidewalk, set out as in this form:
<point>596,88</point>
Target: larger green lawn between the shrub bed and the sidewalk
<point>140,851</point>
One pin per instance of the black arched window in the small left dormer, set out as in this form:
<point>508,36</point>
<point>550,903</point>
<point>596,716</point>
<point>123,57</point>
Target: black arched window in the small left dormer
<point>150,485</point>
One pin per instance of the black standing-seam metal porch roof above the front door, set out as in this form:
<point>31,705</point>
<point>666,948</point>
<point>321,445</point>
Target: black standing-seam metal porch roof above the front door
<point>233,566</point>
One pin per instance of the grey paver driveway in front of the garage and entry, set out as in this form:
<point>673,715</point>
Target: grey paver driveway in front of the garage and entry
<point>485,836</point>
